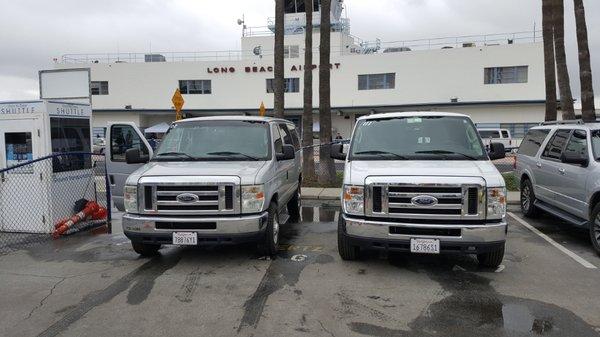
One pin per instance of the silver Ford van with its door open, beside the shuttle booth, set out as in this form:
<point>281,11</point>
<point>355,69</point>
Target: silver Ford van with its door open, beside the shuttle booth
<point>213,180</point>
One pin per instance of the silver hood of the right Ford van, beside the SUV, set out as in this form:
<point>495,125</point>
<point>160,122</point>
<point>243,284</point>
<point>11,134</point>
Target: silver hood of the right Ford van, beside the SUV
<point>358,171</point>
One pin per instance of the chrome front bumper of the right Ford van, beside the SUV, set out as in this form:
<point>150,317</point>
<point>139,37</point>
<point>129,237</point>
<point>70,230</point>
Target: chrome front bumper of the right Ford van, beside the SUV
<point>457,238</point>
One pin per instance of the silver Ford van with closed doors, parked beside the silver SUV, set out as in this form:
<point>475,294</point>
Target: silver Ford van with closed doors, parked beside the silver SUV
<point>421,182</point>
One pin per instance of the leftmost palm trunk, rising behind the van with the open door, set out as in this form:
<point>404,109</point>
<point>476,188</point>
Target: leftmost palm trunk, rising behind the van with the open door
<point>278,82</point>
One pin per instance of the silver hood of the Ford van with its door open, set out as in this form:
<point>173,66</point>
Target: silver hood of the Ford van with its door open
<point>246,171</point>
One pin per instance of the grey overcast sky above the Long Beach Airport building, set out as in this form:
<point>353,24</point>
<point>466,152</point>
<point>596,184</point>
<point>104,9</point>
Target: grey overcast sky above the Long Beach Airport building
<point>33,32</point>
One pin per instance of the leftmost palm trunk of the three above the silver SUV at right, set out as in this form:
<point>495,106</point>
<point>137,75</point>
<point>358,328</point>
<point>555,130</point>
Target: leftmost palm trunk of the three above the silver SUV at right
<point>549,60</point>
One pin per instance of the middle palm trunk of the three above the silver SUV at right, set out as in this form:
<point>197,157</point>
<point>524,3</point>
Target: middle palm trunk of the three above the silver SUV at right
<point>564,82</point>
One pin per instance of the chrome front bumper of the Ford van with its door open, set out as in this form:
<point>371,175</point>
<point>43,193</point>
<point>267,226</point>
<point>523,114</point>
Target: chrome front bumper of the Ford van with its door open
<point>210,230</point>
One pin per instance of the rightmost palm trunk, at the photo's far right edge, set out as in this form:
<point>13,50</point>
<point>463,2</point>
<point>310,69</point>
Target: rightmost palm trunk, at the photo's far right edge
<point>588,110</point>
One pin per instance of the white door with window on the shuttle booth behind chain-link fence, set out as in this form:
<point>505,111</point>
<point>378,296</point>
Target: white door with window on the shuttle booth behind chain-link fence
<point>22,197</point>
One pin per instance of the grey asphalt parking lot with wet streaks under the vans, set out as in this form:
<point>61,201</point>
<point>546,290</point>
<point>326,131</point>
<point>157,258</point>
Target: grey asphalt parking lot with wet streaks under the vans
<point>95,285</point>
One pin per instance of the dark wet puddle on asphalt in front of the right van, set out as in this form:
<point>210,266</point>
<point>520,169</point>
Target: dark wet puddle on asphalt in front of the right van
<point>472,307</point>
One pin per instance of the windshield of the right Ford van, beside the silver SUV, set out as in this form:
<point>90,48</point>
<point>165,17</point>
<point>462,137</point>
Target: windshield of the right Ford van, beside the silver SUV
<point>419,138</point>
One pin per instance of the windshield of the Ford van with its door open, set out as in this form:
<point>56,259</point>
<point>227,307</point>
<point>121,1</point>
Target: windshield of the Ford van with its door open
<point>216,141</point>
